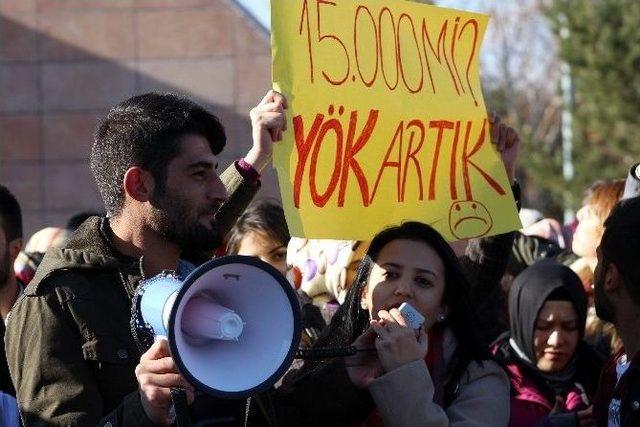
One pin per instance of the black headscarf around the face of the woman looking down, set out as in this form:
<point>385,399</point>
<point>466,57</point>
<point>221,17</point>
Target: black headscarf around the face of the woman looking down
<point>528,293</point>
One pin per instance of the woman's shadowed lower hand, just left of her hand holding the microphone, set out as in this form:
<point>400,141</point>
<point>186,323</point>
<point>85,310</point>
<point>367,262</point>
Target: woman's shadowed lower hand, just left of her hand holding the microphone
<point>364,366</point>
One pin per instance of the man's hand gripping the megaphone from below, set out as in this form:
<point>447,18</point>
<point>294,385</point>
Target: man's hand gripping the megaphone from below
<point>157,374</point>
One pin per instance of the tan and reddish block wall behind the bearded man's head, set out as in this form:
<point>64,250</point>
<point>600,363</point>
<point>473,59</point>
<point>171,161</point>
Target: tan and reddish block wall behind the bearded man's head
<point>63,63</point>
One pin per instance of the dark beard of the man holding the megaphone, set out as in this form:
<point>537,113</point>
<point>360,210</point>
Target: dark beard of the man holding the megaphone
<point>177,222</point>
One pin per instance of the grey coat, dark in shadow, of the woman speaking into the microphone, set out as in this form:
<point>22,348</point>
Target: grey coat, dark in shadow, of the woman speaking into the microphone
<point>403,397</point>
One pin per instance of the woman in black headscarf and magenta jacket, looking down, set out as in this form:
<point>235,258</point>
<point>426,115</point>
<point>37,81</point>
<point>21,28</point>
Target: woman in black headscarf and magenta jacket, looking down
<point>553,372</point>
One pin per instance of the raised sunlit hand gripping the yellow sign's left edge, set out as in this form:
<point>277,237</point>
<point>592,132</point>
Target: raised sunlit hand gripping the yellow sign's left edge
<point>268,121</point>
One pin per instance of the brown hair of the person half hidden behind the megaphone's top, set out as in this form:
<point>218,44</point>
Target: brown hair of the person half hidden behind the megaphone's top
<point>262,216</point>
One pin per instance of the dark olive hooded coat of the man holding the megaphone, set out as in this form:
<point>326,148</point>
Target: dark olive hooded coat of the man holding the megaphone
<point>69,345</point>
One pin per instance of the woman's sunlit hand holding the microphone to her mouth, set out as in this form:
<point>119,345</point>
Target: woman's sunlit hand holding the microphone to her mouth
<point>397,343</point>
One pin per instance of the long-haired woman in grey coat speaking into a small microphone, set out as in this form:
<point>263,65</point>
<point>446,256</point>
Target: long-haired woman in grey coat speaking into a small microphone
<point>437,375</point>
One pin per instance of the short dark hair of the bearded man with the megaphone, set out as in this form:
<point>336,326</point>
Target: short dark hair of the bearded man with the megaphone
<point>146,131</point>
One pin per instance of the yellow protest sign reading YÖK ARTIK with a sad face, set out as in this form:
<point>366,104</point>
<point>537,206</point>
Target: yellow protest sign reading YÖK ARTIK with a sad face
<point>386,120</point>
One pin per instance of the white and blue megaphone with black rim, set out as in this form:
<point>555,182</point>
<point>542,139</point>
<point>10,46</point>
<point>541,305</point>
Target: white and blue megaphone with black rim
<point>233,325</point>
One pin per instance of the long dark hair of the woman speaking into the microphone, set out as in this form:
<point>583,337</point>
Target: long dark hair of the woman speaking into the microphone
<point>351,320</point>
